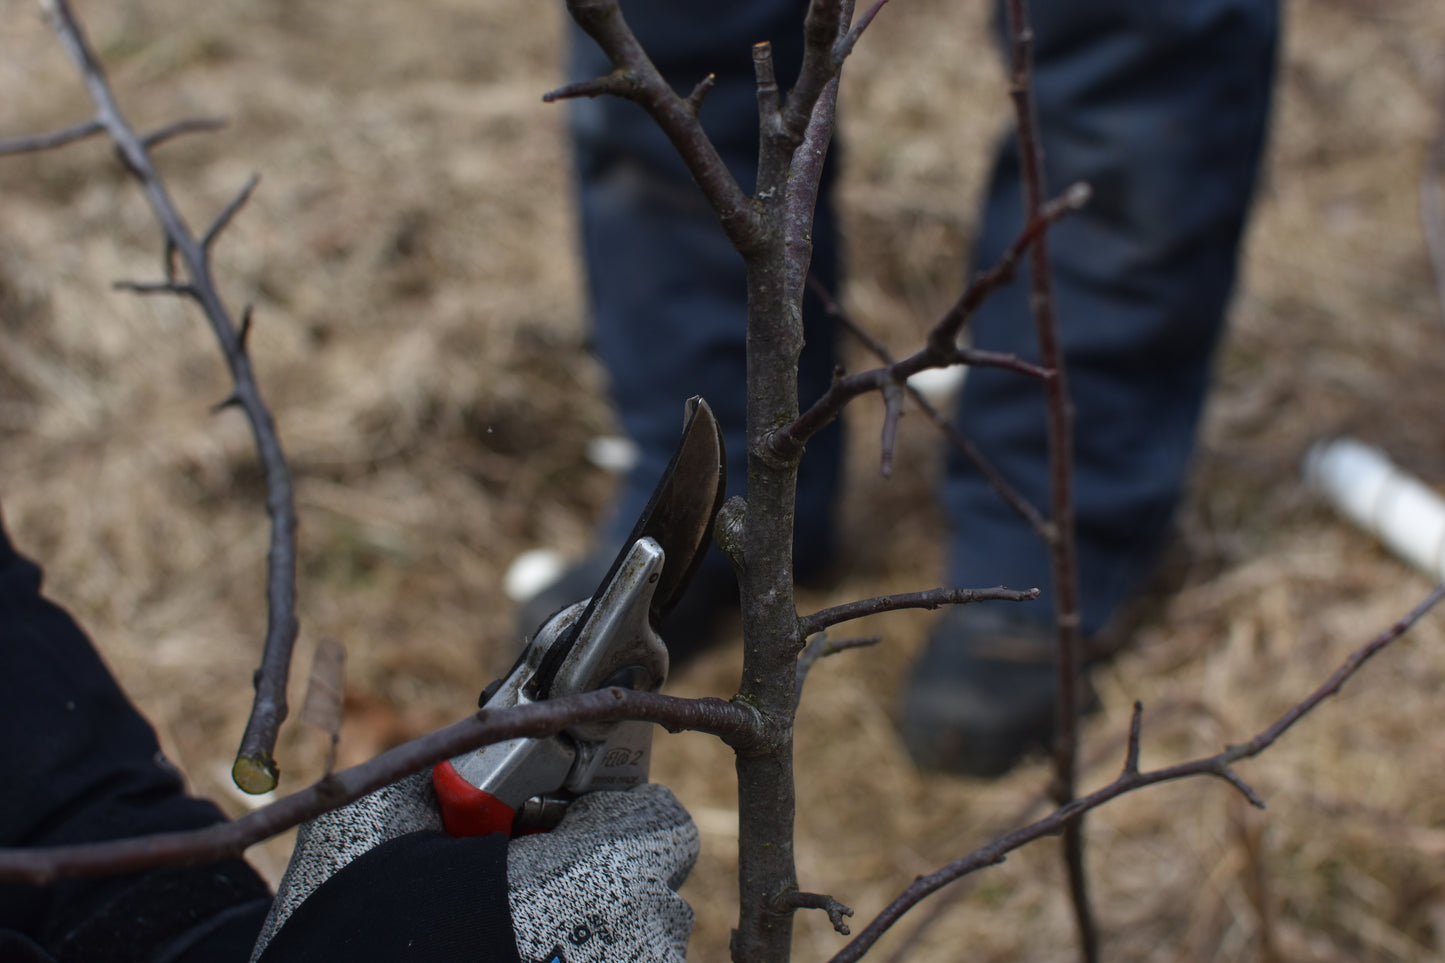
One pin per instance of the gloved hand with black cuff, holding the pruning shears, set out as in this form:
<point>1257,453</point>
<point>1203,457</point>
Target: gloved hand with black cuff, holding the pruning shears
<point>378,878</point>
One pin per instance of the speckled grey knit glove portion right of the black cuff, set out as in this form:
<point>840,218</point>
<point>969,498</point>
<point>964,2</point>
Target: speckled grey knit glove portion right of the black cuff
<point>603,884</point>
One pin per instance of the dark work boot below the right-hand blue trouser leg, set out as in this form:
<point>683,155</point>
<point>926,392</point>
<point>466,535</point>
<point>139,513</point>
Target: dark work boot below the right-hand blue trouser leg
<point>982,696</point>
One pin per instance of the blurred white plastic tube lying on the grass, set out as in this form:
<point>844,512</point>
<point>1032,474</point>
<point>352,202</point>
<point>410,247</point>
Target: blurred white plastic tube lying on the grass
<point>1372,492</point>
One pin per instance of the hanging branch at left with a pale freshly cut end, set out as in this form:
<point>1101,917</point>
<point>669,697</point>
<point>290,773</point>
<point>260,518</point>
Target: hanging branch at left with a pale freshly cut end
<point>255,769</point>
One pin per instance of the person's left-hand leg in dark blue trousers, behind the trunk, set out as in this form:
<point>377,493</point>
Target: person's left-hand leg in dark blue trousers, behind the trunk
<point>668,293</point>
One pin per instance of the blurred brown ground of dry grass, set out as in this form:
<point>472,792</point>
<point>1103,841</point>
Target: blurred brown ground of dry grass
<point>421,339</point>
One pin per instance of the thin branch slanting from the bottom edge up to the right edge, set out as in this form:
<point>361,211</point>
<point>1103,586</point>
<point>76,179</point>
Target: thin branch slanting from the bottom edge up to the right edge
<point>1129,780</point>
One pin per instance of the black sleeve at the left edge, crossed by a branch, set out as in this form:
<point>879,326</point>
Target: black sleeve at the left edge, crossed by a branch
<point>82,766</point>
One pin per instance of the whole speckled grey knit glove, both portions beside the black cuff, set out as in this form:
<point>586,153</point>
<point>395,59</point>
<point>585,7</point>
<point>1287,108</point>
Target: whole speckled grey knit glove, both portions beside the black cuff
<point>599,887</point>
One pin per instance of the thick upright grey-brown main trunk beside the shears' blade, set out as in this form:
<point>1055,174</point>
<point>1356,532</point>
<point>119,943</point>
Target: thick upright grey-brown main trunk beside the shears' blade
<point>791,158</point>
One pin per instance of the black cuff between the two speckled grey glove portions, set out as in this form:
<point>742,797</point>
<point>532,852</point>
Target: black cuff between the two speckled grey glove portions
<point>420,897</point>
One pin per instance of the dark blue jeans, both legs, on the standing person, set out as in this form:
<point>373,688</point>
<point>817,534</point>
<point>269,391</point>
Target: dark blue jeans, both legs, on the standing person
<point>1160,105</point>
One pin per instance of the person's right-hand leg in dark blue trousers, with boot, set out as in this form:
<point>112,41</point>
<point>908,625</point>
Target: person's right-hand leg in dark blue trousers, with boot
<point>1161,108</point>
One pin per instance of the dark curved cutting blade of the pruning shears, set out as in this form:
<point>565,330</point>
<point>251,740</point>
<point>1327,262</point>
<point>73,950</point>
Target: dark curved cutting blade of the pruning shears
<point>678,517</point>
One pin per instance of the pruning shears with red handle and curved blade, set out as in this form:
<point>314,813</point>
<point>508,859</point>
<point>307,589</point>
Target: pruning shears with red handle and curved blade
<point>524,786</point>
